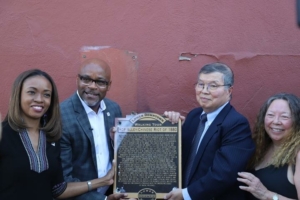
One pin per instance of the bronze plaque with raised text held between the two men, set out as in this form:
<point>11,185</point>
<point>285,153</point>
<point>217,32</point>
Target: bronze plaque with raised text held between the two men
<point>147,155</point>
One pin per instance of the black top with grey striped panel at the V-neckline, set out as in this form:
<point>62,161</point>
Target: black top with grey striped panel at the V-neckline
<point>26,174</point>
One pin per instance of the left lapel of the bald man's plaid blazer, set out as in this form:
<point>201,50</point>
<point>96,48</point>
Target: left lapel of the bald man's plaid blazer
<point>83,121</point>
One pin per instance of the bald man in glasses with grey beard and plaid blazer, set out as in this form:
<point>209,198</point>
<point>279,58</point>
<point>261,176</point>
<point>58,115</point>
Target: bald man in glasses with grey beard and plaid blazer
<point>87,116</point>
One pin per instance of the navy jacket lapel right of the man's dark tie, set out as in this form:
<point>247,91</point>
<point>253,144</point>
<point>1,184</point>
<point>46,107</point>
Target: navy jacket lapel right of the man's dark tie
<point>213,128</point>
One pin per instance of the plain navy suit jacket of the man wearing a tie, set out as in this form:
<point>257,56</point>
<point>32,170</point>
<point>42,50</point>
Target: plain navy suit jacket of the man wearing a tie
<point>224,151</point>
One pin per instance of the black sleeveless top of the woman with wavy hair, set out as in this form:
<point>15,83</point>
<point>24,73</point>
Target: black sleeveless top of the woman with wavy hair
<point>275,180</point>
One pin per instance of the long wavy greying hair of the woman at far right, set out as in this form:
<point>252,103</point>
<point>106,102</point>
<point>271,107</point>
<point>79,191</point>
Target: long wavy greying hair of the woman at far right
<point>286,154</point>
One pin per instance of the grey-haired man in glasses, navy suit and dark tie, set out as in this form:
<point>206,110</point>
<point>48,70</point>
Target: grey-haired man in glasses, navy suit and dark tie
<point>216,140</point>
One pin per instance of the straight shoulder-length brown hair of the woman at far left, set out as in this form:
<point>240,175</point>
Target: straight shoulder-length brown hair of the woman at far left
<point>50,123</point>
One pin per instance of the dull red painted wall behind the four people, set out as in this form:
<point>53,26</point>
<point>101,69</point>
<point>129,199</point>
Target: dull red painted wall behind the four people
<point>258,39</point>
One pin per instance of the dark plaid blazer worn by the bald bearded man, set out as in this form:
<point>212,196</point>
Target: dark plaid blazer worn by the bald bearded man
<point>77,143</point>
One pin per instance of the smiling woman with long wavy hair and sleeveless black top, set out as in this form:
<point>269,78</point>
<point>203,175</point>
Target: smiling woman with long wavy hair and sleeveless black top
<point>275,166</point>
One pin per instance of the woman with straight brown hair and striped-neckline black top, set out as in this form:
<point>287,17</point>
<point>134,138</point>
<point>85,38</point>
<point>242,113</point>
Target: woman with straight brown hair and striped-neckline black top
<point>30,166</point>
